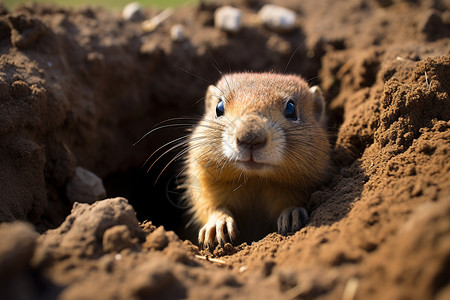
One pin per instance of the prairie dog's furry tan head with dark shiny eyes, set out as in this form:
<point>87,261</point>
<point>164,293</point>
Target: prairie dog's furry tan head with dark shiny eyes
<point>266,124</point>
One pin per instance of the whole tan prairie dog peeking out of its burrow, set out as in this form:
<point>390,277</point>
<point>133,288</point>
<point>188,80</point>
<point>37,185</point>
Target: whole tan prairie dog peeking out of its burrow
<point>255,156</point>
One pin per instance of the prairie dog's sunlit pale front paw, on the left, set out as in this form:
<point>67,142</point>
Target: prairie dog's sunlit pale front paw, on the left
<point>220,228</point>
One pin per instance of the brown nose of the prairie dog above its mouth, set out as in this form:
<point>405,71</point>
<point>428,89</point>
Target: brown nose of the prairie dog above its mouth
<point>251,133</point>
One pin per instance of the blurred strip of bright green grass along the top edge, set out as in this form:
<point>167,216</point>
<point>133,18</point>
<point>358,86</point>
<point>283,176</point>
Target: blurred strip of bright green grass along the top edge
<point>112,4</point>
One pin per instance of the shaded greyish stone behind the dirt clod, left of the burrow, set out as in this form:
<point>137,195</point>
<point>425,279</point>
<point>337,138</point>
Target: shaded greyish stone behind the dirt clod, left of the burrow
<point>85,187</point>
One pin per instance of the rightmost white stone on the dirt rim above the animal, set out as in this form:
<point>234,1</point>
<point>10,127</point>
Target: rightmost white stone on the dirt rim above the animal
<point>277,18</point>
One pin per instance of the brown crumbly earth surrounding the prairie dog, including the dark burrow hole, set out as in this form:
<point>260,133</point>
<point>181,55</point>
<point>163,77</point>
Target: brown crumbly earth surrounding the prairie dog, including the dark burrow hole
<point>79,87</point>
